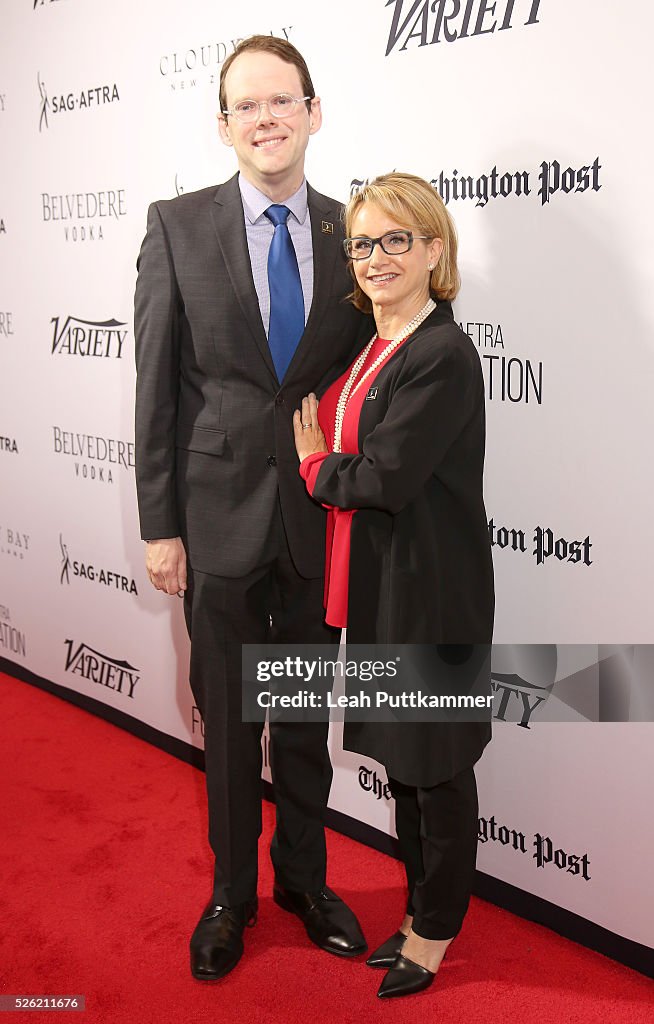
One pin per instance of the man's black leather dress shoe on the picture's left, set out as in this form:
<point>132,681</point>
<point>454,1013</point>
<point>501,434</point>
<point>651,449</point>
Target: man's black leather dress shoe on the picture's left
<point>216,946</point>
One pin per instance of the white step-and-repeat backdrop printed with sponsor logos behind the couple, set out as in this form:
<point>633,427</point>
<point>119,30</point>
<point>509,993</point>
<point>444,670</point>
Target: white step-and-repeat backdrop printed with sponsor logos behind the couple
<point>531,118</point>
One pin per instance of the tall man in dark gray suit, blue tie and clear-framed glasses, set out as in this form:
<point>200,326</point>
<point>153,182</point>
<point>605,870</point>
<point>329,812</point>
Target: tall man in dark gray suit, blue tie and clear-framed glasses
<point>239,314</point>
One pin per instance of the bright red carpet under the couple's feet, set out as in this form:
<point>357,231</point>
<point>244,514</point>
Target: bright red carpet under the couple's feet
<point>106,868</point>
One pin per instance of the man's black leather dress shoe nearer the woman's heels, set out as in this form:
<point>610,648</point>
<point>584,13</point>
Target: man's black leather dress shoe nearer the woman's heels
<point>329,921</point>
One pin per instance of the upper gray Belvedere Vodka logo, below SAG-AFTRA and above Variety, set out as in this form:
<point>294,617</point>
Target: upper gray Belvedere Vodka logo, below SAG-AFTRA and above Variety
<point>84,216</point>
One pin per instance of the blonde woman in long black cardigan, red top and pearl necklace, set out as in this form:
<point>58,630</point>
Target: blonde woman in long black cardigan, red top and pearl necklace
<point>397,454</point>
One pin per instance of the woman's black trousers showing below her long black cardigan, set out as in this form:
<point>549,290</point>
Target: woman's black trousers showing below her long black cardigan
<point>438,832</point>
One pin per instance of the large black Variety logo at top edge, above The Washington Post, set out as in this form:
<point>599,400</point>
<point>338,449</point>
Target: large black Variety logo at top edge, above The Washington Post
<point>430,22</point>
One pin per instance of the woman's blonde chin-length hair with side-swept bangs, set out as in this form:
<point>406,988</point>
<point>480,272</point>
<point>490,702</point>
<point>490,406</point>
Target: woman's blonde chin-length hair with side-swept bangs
<point>416,205</point>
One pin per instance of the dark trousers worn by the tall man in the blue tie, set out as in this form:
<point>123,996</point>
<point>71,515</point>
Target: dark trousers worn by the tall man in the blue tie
<point>273,605</point>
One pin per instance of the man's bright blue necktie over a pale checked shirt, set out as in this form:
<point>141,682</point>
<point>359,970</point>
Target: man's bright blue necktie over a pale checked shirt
<point>287,302</point>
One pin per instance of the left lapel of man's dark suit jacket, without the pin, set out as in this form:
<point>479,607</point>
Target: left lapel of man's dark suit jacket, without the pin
<point>230,226</point>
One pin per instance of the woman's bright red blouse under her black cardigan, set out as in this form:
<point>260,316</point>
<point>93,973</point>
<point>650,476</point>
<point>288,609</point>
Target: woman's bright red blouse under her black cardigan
<point>339,526</point>
